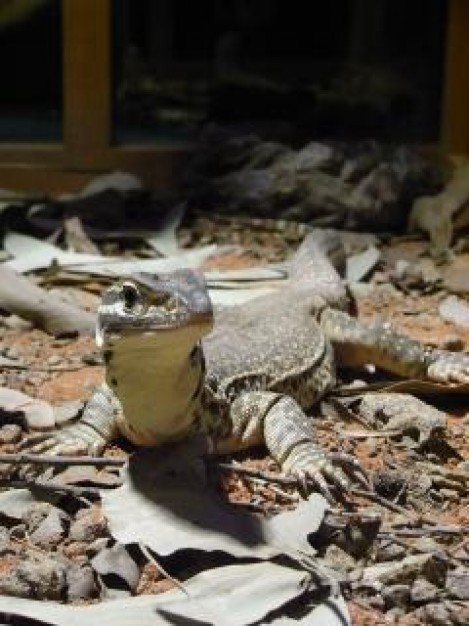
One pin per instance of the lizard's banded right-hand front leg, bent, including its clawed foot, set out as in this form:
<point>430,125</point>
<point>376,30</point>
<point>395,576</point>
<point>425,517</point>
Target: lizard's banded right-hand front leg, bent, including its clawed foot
<point>279,422</point>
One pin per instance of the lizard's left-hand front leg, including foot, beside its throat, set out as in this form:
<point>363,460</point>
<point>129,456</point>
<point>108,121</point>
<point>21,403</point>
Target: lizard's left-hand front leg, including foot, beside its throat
<point>89,435</point>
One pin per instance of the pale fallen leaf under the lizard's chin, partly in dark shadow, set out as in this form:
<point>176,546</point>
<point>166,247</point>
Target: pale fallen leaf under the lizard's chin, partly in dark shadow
<point>166,504</point>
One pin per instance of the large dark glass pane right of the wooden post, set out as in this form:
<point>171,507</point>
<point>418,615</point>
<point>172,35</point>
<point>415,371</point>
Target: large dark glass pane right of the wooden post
<point>337,69</point>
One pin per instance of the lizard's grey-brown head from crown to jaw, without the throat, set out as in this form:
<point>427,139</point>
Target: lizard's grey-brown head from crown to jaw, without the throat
<point>151,305</point>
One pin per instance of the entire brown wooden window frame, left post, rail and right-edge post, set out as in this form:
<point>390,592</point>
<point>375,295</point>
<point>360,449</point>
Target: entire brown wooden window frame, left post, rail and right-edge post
<point>87,148</point>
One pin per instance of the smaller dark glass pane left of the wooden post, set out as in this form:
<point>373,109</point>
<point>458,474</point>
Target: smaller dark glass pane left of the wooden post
<point>31,70</point>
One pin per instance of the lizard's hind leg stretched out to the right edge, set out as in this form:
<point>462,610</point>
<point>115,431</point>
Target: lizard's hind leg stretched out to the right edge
<point>357,343</point>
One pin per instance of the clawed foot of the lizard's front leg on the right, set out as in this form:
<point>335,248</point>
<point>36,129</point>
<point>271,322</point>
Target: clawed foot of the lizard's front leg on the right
<point>309,464</point>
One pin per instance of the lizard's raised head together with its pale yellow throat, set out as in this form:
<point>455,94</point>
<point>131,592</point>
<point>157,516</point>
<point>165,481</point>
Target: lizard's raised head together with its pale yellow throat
<point>149,330</point>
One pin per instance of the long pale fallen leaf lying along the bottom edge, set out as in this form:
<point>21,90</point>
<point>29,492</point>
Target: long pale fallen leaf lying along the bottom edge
<point>234,595</point>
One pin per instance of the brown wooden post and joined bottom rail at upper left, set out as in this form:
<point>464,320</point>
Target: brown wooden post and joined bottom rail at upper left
<point>86,149</point>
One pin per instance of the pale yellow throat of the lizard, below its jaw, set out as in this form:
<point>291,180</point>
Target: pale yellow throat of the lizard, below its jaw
<point>156,381</point>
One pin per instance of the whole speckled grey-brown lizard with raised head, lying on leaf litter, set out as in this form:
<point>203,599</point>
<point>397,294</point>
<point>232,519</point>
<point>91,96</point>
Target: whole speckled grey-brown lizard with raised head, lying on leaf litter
<point>245,375</point>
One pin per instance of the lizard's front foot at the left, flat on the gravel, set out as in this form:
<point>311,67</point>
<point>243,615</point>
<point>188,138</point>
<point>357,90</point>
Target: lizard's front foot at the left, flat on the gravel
<point>75,440</point>
